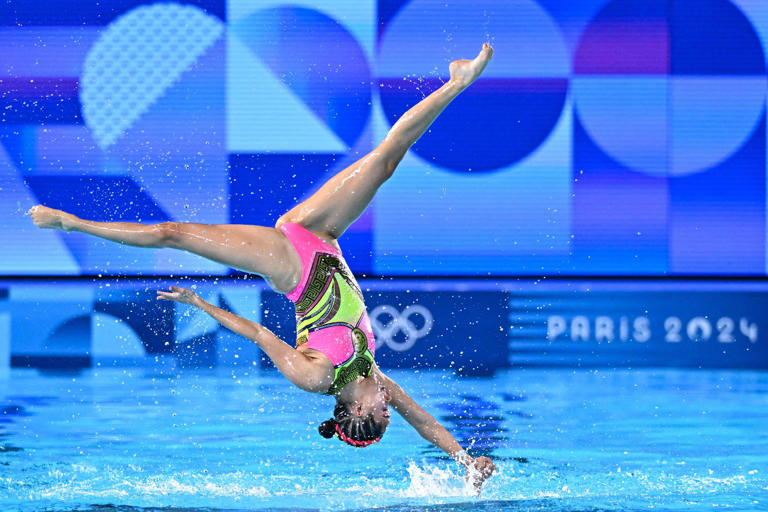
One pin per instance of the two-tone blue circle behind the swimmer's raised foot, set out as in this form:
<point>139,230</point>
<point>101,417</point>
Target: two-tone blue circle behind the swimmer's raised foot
<point>507,113</point>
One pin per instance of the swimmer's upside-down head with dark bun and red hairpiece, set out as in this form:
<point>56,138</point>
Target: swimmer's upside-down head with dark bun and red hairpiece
<point>362,421</point>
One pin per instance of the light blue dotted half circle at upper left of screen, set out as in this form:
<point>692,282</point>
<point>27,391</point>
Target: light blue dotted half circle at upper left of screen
<point>137,59</point>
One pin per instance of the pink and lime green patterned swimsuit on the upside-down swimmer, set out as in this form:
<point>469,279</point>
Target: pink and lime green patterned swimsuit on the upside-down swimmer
<point>330,312</point>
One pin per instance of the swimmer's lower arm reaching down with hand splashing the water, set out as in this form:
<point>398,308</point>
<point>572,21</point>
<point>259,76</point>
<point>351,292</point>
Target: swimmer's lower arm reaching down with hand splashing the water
<point>430,429</point>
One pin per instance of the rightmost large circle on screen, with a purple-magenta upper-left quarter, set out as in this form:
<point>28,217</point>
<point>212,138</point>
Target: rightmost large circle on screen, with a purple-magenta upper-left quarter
<point>669,88</point>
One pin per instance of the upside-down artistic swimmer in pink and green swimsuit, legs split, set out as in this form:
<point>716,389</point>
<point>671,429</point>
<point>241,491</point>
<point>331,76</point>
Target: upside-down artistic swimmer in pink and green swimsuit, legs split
<point>301,258</point>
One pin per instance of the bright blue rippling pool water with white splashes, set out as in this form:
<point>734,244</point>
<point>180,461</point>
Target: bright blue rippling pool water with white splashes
<point>135,439</point>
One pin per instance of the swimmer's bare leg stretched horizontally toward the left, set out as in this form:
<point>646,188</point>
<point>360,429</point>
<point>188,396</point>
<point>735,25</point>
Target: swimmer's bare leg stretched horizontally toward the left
<point>256,249</point>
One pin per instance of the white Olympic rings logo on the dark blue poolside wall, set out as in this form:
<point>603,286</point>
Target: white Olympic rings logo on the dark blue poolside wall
<point>400,322</point>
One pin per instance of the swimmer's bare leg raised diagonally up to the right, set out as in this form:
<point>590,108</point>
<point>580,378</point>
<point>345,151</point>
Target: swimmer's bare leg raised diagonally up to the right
<point>337,204</point>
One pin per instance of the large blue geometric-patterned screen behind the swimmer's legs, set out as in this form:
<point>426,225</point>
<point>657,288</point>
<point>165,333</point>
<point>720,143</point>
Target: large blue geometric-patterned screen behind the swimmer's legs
<point>607,137</point>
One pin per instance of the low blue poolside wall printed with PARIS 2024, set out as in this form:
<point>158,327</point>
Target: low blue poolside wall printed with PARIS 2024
<point>471,326</point>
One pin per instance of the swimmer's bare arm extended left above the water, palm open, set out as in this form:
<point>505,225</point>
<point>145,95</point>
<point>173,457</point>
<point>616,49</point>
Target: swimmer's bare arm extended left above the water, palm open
<point>294,365</point>
